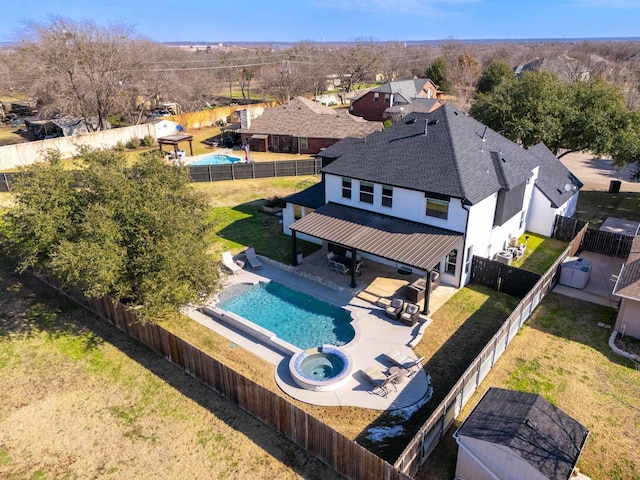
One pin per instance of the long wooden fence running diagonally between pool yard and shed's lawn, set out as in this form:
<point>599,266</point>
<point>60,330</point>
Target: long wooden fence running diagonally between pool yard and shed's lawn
<point>436,426</point>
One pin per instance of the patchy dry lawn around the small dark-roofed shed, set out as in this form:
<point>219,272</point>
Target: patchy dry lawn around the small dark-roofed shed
<point>562,354</point>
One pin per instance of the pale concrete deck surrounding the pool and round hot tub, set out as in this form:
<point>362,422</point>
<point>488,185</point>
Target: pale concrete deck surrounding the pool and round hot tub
<point>377,335</point>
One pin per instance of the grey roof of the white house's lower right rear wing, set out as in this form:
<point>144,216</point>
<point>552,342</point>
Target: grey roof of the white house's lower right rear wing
<point>555,180</point>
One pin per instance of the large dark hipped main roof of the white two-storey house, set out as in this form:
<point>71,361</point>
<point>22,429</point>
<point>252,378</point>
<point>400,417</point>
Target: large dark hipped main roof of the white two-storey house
<point>453,158</point>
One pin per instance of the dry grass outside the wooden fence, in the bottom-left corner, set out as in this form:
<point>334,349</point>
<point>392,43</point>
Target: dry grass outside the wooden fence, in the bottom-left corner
<point>79,399</point>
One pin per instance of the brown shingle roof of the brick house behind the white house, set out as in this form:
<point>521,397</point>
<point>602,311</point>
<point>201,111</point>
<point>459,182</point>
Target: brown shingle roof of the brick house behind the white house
<point>305,118</point>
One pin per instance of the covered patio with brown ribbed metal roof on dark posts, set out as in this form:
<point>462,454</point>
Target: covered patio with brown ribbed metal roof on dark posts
<point>409,245</point>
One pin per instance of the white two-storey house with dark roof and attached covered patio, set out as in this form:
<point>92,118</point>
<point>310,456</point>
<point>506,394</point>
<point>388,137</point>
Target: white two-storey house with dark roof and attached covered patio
<point>431,191</point>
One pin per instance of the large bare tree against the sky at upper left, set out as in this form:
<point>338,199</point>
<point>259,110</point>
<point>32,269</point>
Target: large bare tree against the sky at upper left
<point>81,68</point>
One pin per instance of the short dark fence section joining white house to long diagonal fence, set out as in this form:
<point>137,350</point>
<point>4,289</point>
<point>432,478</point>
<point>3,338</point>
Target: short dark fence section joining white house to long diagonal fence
<point>502,278</point>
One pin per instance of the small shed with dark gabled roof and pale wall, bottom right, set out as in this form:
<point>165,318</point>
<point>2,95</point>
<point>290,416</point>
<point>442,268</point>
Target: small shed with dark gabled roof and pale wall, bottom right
<point>513,435</point>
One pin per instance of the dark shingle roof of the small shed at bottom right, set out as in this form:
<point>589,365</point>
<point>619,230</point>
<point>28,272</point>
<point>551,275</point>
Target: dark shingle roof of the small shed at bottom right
<point>531,427</point>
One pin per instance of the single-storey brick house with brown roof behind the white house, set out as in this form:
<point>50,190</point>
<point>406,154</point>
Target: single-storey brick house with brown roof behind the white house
<point>302,126</point>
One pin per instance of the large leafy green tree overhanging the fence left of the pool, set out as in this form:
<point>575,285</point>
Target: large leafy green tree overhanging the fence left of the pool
<point>137,233</point>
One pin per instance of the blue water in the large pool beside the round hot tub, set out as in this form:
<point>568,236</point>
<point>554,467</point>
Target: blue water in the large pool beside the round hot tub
<point>293,316</point>
